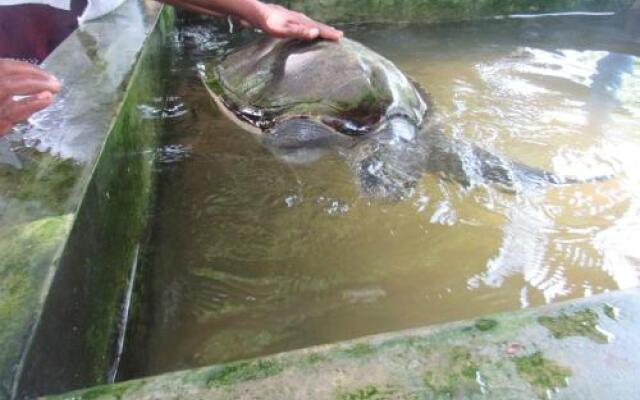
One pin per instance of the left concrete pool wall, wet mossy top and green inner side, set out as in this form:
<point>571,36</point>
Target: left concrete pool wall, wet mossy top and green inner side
<point>75,191</point>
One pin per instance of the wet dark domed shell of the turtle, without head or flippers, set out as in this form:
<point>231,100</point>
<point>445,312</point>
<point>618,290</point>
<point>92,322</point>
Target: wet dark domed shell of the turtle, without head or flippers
<point>343,85</point>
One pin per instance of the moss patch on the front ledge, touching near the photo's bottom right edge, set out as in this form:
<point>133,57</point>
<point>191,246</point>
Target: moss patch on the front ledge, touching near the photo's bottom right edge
<point>542,373</point>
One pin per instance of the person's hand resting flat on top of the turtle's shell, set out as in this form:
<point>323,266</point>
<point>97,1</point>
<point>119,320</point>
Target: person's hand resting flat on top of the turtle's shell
<point>278,21</point>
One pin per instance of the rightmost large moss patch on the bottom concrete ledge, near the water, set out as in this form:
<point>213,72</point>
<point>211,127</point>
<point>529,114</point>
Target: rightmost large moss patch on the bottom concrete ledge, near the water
<point>580,323</point>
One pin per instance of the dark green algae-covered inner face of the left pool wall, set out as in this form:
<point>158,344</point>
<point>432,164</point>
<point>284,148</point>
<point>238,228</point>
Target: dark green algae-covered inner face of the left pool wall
<point>89,298</point>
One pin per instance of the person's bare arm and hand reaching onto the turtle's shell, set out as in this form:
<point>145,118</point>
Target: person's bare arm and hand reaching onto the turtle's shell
<point>273,19</point>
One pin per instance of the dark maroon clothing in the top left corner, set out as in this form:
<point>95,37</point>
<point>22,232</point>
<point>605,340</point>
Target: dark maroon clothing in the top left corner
<point>31,31</point>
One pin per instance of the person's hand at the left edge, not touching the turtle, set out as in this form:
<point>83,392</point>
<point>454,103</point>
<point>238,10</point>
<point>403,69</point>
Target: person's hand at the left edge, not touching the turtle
<point>19,78</point>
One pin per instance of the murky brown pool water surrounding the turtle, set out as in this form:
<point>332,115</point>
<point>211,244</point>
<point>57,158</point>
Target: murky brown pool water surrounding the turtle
<point>251,256</point>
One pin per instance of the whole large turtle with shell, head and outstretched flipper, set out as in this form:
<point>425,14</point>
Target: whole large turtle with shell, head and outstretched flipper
<point>300,97</point>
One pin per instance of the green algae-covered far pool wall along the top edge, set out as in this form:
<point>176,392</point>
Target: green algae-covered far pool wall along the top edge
<point>348,11</point>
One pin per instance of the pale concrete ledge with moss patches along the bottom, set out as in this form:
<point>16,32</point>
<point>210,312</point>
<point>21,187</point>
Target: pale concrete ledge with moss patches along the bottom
<point>517,359</point>
